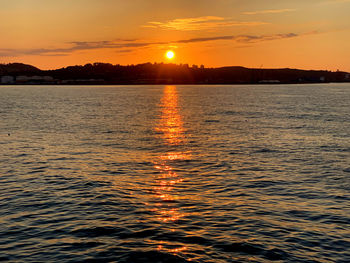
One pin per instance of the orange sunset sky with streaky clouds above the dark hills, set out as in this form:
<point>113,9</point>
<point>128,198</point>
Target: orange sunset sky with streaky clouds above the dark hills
<point>306,34</point>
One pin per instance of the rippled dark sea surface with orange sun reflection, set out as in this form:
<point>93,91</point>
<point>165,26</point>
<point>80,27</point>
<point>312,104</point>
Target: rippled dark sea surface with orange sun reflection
<point>175,173</point>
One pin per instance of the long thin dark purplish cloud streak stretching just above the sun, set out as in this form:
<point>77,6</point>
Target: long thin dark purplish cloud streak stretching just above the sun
<point>132,45</point>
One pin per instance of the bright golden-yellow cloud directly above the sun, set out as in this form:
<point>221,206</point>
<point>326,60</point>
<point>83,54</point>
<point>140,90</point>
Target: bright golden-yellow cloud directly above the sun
<point>201,23</point>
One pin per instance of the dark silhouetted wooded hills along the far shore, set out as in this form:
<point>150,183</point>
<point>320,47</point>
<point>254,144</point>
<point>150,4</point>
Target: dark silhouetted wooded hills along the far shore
<point>159,73</point>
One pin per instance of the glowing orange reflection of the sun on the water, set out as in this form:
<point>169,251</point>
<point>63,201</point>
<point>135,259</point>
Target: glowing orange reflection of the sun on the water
<point>172,132</point>
